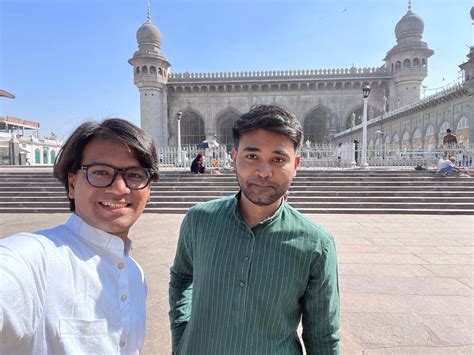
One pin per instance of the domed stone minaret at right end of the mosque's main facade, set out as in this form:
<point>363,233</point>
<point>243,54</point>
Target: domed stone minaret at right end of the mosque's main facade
<point>407,62</point>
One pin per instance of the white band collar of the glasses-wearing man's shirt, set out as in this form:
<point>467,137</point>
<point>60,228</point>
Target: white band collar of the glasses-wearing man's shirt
<point>98,237</point>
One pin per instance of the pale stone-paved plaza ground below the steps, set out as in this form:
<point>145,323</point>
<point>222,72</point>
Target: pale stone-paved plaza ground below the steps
<point>406,280</point>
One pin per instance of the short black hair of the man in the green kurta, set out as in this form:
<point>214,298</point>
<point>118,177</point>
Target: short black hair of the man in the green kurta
<point>272,118</point>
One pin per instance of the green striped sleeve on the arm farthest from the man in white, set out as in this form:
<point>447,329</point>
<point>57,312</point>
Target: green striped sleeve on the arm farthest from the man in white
<point>321,304</point>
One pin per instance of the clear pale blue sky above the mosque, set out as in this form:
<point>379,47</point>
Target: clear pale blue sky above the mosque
<point>66,60</point>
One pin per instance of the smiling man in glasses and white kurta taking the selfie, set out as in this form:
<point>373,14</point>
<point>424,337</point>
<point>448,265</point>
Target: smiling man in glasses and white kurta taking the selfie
<point>74,288</point>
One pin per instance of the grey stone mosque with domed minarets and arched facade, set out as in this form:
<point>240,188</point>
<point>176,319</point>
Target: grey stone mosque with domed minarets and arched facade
<point>328,102</point>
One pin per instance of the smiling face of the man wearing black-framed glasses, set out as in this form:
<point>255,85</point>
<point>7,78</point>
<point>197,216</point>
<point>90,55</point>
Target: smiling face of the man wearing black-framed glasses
<point>112,209</point>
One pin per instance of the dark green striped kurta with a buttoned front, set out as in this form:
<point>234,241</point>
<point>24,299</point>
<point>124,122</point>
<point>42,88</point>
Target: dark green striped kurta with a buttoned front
<point>236,290</point>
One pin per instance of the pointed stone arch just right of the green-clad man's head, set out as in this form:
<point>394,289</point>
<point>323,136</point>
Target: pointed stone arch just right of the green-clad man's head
<point>316,124</point>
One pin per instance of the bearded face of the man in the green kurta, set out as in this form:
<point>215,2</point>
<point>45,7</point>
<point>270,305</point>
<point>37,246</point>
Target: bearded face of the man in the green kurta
<point>265,164</point>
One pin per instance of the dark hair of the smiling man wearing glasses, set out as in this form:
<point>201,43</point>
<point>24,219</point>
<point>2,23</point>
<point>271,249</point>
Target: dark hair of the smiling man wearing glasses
<point>69,158</point>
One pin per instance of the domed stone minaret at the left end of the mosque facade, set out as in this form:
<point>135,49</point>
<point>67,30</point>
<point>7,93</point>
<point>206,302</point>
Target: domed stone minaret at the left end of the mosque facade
<point>150,75</point>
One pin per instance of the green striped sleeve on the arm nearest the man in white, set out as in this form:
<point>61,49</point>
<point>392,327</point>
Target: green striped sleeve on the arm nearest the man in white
<point>181,283</point>
